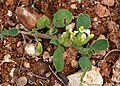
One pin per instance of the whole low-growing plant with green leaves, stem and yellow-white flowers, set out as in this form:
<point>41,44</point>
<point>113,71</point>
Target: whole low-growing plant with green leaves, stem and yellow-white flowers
<point>76,38</point>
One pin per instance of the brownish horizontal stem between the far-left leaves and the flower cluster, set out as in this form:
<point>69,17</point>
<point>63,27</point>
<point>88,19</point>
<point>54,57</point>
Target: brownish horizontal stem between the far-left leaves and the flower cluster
<point>44,36</point>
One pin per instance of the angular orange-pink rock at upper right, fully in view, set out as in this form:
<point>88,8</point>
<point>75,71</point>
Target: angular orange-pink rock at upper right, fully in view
<point>102,11</point>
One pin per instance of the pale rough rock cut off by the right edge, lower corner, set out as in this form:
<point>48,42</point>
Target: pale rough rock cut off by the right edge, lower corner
<point>116,72</point>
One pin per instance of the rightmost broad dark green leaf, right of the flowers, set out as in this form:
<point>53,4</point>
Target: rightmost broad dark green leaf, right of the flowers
<point>101,44</point>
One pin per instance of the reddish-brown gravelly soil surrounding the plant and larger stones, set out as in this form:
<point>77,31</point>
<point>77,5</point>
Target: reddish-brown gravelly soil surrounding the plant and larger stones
<point>14,46</point>
